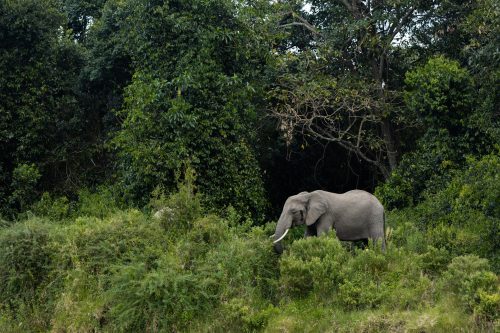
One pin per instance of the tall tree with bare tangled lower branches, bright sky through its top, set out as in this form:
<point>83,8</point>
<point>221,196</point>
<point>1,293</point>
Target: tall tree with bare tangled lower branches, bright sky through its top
<point>344,86</point>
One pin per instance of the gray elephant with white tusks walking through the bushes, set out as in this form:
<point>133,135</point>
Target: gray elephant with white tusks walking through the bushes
<point>355,215</point>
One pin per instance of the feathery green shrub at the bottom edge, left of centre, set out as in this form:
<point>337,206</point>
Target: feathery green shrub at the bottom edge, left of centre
<point>165,298</point>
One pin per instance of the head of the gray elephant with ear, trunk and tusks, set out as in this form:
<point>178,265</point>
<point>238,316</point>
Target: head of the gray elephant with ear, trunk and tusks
<point>303,208</point>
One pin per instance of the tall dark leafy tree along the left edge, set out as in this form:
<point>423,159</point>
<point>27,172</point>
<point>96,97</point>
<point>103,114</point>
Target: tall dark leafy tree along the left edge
<point>40,117</point>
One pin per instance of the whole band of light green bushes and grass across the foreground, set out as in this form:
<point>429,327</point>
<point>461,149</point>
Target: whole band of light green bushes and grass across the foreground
<point>186,270</point>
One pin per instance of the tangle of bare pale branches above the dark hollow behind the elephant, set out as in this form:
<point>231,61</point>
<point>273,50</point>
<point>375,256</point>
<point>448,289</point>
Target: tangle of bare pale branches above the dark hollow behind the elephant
<point>331,115</point>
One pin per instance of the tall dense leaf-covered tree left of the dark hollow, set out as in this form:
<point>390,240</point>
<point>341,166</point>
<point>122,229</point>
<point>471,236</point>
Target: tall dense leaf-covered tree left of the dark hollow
<point>197,106</point>
